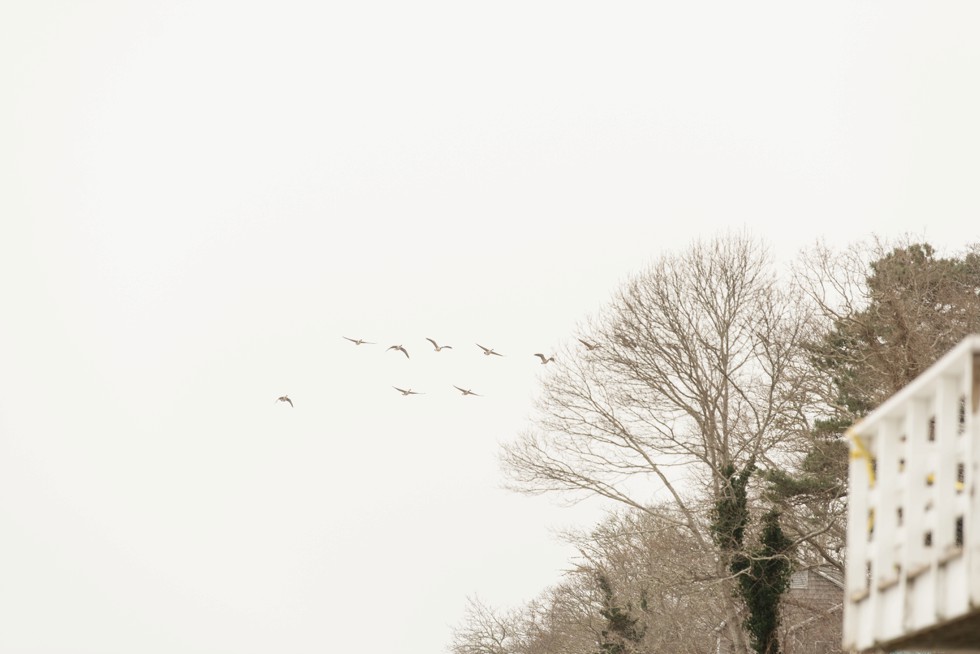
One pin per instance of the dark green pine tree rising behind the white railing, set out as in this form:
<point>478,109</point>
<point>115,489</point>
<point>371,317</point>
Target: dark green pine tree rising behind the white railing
<point>912,307</point>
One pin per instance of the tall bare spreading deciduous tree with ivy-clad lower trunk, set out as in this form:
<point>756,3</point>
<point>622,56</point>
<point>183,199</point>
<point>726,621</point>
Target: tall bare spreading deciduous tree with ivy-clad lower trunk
<point>698,367</point>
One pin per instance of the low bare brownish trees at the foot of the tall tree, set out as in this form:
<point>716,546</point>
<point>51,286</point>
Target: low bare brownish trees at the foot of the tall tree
<point>655,575</point>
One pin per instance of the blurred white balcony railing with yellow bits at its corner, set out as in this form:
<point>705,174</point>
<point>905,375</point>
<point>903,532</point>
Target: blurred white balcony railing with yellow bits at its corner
<point>913,538</point>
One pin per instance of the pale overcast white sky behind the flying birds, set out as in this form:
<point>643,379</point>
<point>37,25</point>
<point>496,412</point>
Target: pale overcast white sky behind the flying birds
<point>199,199</point>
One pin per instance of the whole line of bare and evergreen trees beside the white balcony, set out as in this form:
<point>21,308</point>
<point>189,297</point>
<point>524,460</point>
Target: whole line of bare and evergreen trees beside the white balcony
<point>712,414</point>
